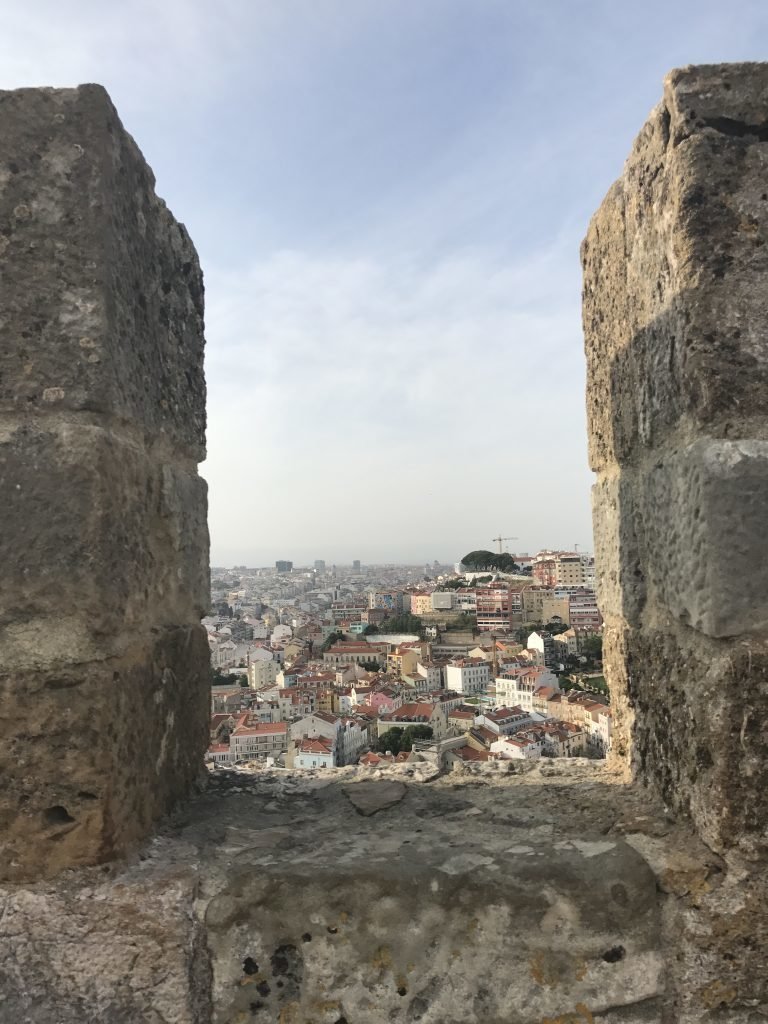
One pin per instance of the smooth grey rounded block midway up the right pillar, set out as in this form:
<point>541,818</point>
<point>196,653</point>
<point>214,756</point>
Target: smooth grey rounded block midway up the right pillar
<point>705,521</point>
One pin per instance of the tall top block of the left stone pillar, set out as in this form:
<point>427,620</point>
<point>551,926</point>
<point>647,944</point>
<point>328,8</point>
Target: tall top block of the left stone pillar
<point>103,293</point>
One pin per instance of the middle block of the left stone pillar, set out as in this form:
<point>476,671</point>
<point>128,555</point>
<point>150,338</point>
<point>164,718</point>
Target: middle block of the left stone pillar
<point>107,540</point>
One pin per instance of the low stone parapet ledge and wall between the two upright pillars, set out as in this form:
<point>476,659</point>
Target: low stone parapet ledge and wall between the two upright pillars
<point>550,894</point>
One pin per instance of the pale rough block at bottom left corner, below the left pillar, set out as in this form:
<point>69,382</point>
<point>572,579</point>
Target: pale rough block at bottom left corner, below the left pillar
<point>120,954</point>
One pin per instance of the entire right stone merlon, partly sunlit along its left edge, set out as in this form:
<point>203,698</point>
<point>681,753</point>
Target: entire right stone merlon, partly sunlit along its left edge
<point>676,326</point>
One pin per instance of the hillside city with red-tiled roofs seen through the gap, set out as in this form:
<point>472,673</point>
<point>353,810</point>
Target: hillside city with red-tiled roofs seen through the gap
<point>496,658</point>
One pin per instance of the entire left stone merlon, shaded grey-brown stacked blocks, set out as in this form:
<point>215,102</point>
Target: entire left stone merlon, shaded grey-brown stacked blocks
<point>104,666</point>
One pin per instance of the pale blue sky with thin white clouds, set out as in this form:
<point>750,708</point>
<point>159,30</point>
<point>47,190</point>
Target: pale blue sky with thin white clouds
<point>388,198</point>
